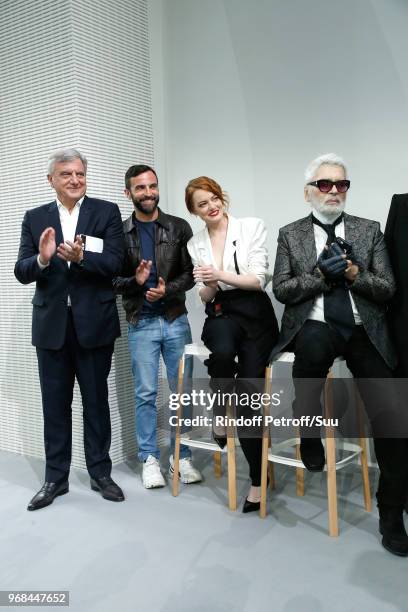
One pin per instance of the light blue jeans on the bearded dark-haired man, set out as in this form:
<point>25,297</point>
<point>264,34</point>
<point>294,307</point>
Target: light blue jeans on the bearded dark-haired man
<point>149,338</point>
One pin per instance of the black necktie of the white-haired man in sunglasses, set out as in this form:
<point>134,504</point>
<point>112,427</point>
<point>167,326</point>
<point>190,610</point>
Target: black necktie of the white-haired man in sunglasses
<point>338,312</point>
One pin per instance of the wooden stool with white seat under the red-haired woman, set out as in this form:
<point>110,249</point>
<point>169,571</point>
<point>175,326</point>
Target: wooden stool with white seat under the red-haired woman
<point>202,352</point>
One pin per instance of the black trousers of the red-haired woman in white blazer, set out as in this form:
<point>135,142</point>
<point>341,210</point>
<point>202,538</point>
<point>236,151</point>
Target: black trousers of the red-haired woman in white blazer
<point>227,339</point>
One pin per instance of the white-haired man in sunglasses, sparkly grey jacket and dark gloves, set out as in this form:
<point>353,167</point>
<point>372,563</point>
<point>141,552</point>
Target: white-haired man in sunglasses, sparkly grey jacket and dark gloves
<point>333,274</point>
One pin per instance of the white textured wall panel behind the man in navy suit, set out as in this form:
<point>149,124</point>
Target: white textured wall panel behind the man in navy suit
<point>74,73</point>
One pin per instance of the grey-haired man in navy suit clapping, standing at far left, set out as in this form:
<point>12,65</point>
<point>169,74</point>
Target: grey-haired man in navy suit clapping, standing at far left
<point>72,248</point>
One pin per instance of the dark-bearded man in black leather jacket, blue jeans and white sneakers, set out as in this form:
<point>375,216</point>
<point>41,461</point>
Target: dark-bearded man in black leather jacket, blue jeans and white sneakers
<point>156,274</point>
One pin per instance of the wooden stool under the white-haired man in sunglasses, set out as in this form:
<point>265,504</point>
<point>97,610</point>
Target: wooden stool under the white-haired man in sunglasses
<point>355,450</point>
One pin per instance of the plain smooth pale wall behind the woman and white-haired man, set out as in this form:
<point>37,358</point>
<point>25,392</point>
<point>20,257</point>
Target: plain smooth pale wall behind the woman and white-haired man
<point>251,92</point>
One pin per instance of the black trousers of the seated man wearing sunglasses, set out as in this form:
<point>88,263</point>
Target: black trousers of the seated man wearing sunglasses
<point>316,347</point>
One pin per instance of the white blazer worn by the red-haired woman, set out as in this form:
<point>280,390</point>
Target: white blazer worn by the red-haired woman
<point>246,238</point>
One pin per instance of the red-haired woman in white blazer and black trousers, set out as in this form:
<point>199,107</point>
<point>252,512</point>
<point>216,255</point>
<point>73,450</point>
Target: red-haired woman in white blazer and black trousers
<point>230,269</point>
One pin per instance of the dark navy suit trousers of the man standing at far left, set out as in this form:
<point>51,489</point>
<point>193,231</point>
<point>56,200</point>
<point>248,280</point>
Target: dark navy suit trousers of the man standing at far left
<point>57,370</point>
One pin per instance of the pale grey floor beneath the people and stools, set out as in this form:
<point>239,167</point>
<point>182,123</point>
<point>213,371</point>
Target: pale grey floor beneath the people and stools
<point>158,553</point>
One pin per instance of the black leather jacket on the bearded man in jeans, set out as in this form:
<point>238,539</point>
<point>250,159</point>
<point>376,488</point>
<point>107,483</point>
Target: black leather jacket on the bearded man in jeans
<point>173,265</point>
